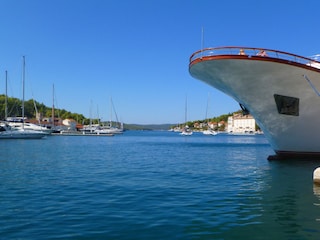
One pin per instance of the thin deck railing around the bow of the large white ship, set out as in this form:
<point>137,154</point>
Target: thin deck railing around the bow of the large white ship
<point>249,52</point>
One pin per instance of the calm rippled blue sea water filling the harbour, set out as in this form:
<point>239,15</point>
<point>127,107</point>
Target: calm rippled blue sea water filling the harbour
<point>154,185</point>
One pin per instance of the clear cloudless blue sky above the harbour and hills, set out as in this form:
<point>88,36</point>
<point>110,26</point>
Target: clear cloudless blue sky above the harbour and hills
<point>137,51</point>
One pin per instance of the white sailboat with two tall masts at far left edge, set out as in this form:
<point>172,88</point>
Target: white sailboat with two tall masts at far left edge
<point>8,132</point>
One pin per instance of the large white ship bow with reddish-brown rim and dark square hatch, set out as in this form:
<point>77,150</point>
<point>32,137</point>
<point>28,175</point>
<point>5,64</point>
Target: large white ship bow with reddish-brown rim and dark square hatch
<point>281,90</point>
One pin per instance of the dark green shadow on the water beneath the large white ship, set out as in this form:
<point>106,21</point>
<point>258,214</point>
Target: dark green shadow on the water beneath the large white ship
<point>290,198</point>
